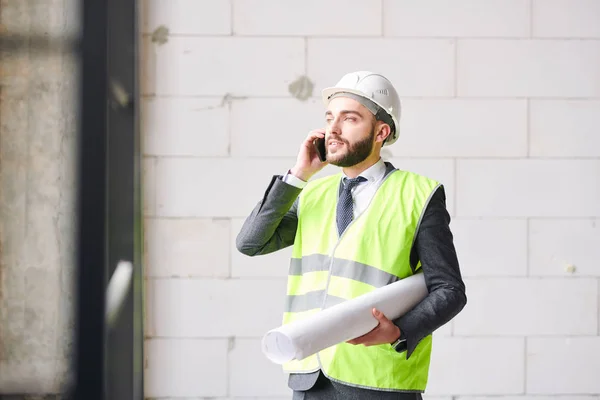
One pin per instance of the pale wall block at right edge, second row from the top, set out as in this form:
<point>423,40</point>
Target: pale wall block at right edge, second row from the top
<point>528,68</point>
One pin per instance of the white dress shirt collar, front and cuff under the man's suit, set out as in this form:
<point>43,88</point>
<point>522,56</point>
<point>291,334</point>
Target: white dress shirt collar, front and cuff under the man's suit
<point>362,194</point>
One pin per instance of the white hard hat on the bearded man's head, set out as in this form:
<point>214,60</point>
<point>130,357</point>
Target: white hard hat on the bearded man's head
<point>376,88</point>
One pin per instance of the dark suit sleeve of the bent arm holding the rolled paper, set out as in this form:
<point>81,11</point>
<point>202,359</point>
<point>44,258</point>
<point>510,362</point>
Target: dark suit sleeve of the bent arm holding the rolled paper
<point>435,249</point>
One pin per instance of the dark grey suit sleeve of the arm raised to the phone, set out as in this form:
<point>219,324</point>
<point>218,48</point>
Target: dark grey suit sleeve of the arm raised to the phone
<point>272,224</point>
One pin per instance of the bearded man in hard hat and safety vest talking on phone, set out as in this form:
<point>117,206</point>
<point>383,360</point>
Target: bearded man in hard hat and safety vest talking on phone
<point>354,232</point>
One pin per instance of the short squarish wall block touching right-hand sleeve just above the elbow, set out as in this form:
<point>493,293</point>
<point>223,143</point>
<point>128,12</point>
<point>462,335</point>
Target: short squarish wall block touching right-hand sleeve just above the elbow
<point>481,245</point>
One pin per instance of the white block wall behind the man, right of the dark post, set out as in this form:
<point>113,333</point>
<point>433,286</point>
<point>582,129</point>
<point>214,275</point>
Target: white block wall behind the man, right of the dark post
<point>500,103</point>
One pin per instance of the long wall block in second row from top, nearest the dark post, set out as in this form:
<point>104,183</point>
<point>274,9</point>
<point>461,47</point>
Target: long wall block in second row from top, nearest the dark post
<point>220,66</point>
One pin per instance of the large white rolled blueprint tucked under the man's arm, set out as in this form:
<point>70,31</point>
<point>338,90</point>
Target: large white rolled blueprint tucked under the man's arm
<point>342,322</point>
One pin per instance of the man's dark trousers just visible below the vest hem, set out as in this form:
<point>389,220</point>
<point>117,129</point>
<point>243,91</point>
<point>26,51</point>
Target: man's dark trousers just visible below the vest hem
<point>324,389</point>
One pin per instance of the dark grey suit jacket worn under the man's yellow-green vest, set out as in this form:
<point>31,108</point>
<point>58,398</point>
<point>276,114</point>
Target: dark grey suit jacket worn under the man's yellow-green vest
<point>272,226</point>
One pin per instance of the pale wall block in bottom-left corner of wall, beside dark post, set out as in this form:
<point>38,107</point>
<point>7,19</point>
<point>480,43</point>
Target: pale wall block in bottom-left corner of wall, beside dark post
<point>186,367</point>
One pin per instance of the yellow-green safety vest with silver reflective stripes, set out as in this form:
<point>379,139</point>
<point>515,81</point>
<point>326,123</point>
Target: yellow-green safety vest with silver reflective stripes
<point>374,251</point>
